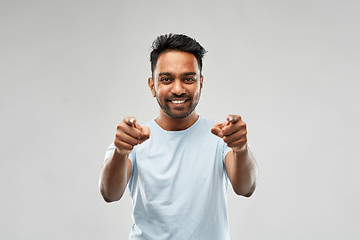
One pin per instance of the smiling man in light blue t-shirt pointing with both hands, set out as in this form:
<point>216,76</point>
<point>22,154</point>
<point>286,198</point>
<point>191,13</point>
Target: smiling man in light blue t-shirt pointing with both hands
<point>178,166</point>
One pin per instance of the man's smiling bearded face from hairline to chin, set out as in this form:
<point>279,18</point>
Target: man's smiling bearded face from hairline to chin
<point>176,83</point>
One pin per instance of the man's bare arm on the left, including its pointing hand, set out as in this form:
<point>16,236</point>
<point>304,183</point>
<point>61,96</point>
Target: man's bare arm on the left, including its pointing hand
<point>116,170</point>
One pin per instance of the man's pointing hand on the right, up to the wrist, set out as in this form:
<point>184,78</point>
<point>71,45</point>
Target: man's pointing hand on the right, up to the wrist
<point>233,132</point>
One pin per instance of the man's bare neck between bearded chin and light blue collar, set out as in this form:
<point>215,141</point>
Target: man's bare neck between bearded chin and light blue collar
<point>176,124</point>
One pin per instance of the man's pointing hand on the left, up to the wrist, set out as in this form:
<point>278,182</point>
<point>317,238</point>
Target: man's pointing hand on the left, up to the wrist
<point>130,134</point>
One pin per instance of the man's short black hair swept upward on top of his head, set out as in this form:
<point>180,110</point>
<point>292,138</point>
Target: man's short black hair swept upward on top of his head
<point>176,42</point>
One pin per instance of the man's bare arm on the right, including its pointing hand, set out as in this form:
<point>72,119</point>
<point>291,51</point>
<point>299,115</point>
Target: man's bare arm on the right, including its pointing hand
<point>240,163</point>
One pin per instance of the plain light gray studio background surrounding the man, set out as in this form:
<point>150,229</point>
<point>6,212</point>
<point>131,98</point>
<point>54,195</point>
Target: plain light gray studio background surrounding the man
<point>71,70</point>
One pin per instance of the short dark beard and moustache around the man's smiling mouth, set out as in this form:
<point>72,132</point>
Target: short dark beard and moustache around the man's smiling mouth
<point>178,113</point>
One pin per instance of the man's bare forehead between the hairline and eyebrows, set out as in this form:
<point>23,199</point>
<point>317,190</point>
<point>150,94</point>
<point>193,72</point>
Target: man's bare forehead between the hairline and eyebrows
<point>176,62</point>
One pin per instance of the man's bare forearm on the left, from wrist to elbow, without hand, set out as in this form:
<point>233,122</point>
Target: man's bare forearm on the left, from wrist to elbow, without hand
<point>113,177</point>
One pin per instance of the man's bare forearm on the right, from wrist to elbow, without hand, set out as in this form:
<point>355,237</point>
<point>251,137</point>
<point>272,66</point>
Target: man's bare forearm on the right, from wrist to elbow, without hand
<point>244,172</point>
